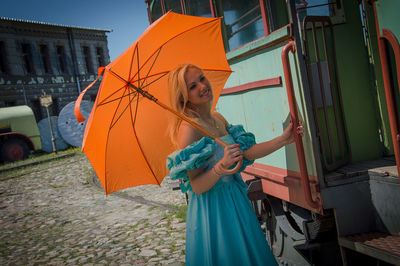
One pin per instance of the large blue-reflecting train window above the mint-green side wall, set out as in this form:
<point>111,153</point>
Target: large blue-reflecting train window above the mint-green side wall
<point>243,22</point>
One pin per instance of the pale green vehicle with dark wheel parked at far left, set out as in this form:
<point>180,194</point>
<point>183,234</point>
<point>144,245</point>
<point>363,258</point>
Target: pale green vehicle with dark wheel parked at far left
<point>19,133</point>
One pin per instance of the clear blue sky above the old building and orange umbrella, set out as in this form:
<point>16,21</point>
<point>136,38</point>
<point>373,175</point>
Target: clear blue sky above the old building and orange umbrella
<point>126,18</point>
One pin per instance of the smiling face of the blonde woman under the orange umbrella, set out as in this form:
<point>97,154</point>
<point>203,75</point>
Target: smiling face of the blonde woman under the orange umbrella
<point>198,86</point>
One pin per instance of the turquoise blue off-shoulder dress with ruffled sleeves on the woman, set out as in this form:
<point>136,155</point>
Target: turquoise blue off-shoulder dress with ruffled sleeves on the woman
<point>221,226</point>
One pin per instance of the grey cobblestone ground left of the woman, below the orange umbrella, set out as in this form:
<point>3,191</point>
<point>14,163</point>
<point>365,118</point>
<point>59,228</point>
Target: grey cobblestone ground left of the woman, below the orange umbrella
<point>52,214</point>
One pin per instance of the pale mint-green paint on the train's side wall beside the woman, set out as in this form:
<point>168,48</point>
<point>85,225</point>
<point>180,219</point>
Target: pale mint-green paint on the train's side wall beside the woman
<point>265,111</point>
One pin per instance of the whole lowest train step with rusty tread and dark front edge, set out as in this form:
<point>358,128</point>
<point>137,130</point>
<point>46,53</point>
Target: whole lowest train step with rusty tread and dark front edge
<point>381,246</point>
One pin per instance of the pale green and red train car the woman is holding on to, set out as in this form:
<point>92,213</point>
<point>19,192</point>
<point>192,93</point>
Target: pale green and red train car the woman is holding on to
<point>333,196</point>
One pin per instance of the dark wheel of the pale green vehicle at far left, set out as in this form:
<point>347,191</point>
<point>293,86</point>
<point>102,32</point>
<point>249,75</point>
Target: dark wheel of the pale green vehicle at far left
<point>14,149</point>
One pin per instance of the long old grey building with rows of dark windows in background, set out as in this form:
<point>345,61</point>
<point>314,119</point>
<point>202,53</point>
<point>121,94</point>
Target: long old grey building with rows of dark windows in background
<point>37,57</point>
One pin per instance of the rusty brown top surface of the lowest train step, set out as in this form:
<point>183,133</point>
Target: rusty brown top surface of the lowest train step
<point>388,243</point>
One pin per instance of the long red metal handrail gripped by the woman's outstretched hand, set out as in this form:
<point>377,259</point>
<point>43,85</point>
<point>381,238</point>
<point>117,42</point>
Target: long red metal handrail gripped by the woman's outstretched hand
<point>316,204</point>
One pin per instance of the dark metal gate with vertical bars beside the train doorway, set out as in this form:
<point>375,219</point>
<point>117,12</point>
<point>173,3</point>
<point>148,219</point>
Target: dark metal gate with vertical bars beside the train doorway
<point>333,92</point>
